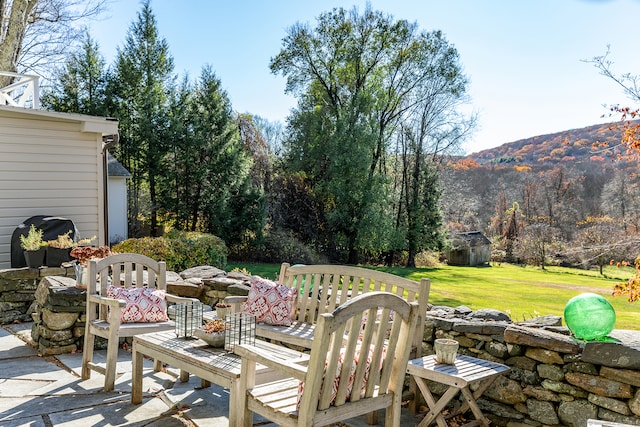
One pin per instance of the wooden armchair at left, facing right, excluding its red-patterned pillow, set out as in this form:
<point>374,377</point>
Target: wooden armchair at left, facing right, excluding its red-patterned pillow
<point>129,271</point>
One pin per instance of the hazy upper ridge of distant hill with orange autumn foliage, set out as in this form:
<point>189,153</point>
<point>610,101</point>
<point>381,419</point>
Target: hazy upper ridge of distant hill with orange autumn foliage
<point>575,145</point>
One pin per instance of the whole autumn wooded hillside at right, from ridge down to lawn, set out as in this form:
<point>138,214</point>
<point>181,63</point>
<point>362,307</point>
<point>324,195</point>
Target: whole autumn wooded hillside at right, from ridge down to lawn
<point>549,198</point>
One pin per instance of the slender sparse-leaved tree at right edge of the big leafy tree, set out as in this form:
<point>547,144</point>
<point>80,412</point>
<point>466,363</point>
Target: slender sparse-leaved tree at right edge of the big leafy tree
<point>431,128</point>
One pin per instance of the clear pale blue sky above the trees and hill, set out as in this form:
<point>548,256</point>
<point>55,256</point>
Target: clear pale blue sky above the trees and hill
<point>523,57</point>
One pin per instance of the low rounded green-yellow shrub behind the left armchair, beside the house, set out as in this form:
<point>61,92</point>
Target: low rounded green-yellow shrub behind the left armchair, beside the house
<point>180,250</point>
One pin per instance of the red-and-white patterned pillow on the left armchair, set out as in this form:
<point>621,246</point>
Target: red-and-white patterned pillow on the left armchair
<point>143,304</point>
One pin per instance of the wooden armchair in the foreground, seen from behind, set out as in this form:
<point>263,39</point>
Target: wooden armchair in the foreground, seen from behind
<point>344,335</point>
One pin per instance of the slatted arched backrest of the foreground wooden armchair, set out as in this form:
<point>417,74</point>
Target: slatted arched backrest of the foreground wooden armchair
<point>353,349</point>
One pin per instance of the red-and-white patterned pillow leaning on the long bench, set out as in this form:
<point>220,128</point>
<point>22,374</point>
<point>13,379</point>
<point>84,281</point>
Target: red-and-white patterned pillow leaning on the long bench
<point>271,302</point>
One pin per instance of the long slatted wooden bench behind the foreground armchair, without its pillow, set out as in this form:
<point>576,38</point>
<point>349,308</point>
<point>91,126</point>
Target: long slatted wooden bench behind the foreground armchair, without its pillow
<point>321,288</point>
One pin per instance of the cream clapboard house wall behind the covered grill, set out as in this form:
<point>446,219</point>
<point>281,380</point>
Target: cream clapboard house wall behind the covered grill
<point>51,164</point>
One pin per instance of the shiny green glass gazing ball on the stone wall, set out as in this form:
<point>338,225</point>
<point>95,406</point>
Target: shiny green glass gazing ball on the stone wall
<point>589,316</point>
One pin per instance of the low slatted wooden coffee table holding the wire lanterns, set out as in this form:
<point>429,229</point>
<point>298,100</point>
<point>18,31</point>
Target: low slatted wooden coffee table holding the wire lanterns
<point>194,356</point>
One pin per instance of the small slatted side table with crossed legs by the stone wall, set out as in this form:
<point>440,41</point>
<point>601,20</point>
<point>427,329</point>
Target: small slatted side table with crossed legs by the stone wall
<point>458,377</point>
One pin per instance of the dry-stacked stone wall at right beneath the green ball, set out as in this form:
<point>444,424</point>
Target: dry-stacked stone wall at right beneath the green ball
<point>554,380</point>
